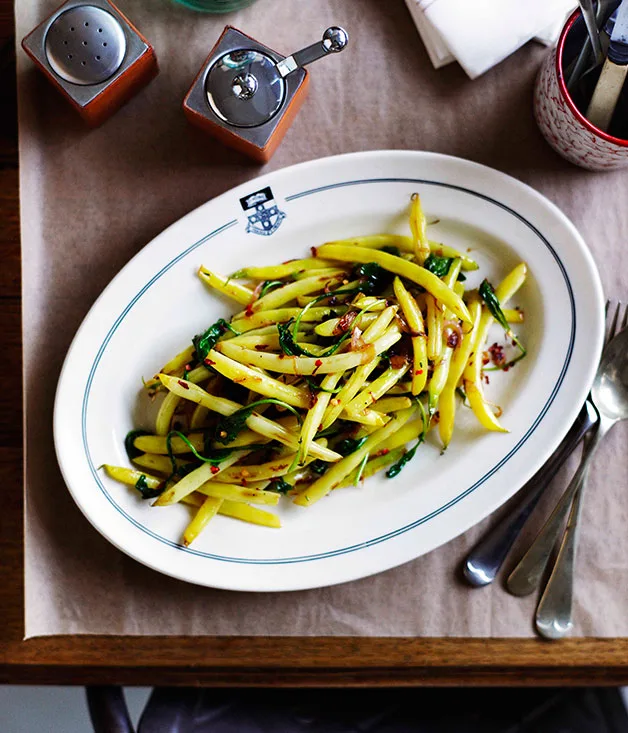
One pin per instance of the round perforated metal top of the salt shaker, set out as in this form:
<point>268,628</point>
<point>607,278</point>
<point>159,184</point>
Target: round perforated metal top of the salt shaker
<point>85,45</point>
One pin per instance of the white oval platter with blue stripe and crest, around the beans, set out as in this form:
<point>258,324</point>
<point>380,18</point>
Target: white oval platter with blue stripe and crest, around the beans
<point>156,304</point>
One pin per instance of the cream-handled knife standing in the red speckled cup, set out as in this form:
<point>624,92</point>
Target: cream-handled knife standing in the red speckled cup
<point>611,81</point>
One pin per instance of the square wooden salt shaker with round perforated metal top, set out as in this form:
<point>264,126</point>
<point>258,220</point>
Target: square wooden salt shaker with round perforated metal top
<point>93,55</point>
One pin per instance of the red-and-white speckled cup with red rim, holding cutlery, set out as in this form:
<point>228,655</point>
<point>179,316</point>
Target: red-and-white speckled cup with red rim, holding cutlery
<point>564,127</point>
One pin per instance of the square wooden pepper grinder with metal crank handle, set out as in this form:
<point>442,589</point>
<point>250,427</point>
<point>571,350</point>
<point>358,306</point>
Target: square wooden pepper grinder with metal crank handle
<point>246,95</point>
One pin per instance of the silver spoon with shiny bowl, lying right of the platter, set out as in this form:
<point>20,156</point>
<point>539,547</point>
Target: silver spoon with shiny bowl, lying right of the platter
<point>610,396</point>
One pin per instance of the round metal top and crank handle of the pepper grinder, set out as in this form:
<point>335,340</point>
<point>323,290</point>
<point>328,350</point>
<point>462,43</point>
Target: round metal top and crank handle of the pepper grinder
<point>246,87</point>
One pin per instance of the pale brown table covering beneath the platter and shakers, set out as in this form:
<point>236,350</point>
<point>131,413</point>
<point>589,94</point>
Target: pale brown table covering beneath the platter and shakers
<point>90,199</point>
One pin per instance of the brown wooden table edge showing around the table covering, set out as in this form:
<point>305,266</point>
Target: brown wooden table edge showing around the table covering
<point>254,661</point>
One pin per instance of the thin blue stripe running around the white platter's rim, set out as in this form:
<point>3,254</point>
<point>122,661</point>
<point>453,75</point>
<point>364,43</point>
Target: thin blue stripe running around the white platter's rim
<point>401,530</point>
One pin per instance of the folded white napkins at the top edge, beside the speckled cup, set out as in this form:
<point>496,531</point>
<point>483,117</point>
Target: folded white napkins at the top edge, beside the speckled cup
<point>481,33</point>
